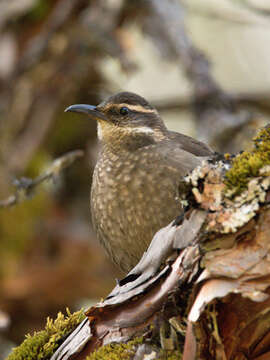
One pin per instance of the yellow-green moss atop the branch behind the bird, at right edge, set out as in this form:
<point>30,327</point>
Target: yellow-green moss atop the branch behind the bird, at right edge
<point>248,164</point>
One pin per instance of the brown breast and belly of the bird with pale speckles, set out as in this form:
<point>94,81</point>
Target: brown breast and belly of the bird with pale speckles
<point>132,197</point>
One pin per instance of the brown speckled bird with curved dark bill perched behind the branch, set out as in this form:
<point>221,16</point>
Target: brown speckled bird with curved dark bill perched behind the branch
<point>136,185</point>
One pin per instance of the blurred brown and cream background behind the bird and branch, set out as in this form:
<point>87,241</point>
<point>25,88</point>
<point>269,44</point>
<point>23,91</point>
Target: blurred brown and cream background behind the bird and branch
<point>204,64</point>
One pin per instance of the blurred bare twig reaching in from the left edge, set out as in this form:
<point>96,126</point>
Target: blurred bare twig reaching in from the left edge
<point>26,186</point>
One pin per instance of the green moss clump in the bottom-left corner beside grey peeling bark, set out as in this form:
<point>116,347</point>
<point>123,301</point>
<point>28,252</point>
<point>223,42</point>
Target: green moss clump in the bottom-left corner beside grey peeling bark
<point>42,344</point>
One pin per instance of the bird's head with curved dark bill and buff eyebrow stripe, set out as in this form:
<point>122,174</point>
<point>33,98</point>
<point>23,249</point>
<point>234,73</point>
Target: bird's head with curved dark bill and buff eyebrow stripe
<point>125,119</point>
